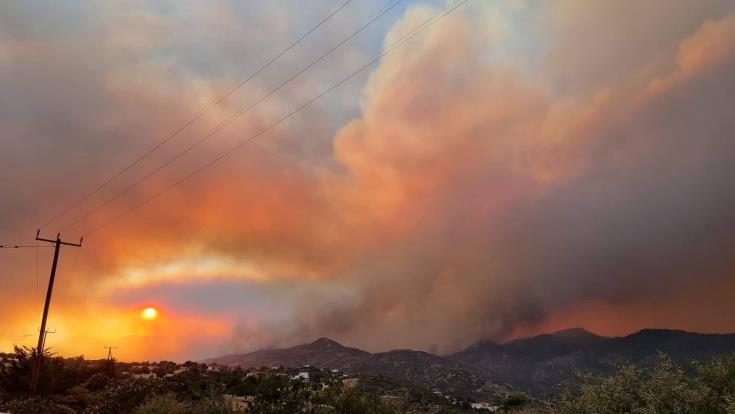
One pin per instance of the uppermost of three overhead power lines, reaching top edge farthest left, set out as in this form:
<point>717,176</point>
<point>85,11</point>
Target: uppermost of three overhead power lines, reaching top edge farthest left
<point>198,115</point>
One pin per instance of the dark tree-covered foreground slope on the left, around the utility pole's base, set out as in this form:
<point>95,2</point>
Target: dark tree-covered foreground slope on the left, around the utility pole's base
<point>75,385</point>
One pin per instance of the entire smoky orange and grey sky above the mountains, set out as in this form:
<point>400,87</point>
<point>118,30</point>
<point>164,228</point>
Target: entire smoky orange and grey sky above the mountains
<point>517,167</point>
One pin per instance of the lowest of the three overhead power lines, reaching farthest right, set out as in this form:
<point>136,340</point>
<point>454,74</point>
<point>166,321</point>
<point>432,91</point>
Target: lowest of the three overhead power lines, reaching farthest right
<point>429,22</point>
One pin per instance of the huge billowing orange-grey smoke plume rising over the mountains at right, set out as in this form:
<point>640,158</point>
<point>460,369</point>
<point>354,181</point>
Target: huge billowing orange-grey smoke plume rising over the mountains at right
<point>646,207</point>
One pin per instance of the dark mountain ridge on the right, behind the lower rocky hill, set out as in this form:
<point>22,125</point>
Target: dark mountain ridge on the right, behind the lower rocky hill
<point>541,364</point>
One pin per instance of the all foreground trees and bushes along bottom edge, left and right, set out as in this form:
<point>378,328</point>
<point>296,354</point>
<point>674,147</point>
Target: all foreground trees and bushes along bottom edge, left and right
<point>74,385</point>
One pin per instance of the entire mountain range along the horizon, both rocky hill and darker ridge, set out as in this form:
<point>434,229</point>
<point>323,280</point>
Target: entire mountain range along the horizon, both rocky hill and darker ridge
<point>540,364</point>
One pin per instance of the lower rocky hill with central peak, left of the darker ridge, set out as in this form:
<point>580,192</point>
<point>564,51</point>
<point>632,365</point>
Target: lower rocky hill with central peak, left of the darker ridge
<point>420,368</point>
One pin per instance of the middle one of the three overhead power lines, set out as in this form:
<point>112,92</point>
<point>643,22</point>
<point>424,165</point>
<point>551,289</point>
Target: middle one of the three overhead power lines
<point>230,120</point>
